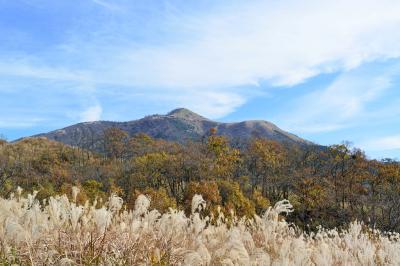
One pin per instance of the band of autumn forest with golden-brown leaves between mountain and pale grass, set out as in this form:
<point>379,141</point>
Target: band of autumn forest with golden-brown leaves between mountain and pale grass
<point>329,186</point>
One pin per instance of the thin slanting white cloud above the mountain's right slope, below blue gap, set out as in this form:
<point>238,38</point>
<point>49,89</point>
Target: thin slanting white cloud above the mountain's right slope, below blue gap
<point>343,103</point>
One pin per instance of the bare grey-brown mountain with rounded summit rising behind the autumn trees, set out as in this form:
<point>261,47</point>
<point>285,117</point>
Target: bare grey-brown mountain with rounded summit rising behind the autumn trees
<point>178,125</point>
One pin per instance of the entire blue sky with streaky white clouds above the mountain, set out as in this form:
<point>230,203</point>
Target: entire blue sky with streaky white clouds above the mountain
<point>327,71</point>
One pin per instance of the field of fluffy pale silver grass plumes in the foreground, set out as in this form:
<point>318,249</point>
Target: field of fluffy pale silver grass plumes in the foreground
<point>58,232</point>
